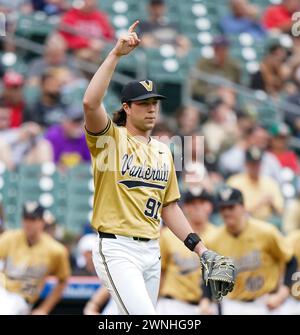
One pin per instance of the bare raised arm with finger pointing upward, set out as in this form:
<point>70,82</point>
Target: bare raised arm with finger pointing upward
<point>95,114</point>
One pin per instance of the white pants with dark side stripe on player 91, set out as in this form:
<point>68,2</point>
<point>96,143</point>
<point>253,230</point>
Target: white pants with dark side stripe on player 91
<point>130,270</point>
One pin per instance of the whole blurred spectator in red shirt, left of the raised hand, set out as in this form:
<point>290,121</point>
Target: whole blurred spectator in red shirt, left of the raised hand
<point>86,28</point>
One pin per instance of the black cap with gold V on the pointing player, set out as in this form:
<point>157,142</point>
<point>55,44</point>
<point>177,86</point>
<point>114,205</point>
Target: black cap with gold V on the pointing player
<point>140,90</point>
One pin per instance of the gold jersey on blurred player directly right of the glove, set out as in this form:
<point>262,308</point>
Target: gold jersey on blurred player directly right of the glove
<point>259,253</point>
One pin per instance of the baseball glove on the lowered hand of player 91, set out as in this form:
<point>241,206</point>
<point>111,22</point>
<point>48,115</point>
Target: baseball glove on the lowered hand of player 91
<point>219,272</point>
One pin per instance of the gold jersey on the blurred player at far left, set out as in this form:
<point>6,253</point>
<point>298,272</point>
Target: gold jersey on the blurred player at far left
<point>26,267</point>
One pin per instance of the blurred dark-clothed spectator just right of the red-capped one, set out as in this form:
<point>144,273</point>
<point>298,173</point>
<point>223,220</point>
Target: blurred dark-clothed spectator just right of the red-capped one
<point>49,109</point>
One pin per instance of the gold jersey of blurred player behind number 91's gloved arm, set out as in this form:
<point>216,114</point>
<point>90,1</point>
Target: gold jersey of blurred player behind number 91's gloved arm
<point>181,267</point>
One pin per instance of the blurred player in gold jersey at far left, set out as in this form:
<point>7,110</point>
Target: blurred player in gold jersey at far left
<point>29,256</point>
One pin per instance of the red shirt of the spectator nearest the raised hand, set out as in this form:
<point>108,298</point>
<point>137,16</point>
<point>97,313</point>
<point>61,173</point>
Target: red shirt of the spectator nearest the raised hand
<point>88,24</point>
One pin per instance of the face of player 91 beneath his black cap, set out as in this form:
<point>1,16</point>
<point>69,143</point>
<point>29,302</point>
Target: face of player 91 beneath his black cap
<point>143,114</point>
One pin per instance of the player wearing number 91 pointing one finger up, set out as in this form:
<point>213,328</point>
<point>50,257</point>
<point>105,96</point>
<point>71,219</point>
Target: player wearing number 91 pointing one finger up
<point>135,186</point>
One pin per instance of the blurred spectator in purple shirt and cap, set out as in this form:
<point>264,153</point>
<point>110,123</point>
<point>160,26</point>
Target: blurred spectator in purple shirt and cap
<point>68,140</point>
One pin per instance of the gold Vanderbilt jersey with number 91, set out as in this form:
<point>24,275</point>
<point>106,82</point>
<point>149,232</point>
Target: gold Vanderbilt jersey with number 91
<point>133,181</point>
